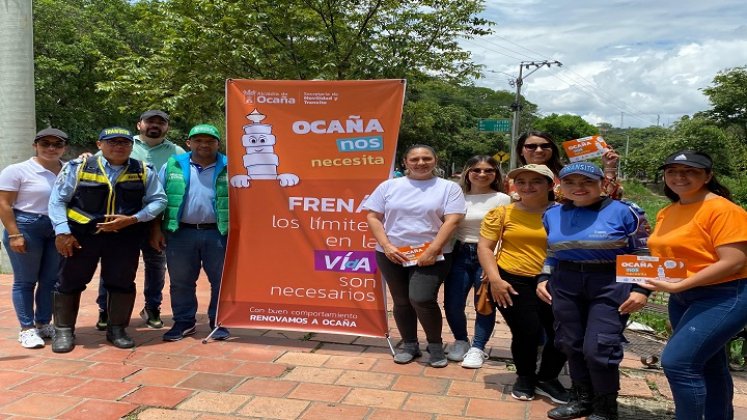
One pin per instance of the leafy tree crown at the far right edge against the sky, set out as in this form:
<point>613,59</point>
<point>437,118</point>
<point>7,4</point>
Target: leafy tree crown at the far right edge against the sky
<point>728,96</point>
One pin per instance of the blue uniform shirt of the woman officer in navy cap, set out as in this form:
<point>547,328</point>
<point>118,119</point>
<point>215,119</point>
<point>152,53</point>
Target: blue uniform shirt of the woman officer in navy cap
<point>592,234</point>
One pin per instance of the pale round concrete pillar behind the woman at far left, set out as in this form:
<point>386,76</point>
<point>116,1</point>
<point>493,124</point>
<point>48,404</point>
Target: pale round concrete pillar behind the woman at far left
<point>17,119</point>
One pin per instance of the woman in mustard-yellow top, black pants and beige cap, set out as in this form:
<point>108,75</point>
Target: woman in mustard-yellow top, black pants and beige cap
<point>512,276</point>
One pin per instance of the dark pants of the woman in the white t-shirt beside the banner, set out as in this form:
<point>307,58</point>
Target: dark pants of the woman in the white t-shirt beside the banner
<point>414,292</point>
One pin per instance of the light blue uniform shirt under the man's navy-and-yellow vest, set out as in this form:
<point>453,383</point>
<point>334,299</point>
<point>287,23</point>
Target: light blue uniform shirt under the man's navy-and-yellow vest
<point>154,201</point>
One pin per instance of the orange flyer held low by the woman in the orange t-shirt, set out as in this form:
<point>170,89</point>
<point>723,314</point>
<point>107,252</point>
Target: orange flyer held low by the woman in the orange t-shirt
<point>639,268</point>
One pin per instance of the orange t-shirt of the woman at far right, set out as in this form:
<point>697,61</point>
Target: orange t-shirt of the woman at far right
<point>693,231</point>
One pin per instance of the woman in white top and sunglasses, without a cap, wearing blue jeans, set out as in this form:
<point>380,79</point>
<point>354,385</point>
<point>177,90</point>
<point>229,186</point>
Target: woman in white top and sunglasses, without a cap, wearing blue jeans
<point>482,184</point>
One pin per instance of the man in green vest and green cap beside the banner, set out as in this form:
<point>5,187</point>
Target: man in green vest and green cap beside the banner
<point>196,227</point>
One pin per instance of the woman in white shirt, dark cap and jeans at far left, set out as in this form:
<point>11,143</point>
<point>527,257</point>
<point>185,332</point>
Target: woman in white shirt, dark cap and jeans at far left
<point>29,235</point>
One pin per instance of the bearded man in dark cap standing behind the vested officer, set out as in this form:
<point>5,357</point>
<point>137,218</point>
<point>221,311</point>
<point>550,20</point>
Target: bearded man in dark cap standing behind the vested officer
<point>150,146</point>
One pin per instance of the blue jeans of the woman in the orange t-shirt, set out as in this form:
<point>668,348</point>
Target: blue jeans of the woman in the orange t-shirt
<point>694,360</point>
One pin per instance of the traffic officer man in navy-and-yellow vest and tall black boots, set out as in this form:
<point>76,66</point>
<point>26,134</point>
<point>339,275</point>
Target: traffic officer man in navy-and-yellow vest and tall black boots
<point>99,206</point>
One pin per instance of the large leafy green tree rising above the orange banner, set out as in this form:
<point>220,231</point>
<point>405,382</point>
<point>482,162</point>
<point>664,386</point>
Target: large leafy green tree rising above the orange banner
<point>204,42</point>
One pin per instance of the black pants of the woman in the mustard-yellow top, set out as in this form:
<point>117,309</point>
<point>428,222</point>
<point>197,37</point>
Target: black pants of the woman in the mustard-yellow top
<point>527,319</point>
